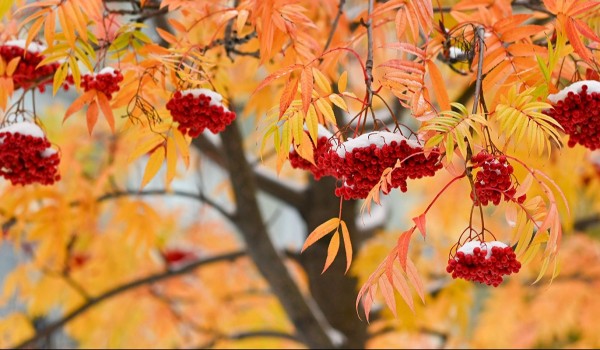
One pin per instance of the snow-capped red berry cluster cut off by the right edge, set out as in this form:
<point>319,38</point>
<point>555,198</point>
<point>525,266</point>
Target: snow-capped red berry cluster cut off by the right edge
<point>577,109</point>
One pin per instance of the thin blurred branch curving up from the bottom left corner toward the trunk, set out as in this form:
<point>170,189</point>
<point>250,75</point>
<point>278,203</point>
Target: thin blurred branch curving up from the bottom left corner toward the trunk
<point>54,326</point>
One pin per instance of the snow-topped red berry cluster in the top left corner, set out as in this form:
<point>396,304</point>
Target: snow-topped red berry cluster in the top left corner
<point>27,72</point>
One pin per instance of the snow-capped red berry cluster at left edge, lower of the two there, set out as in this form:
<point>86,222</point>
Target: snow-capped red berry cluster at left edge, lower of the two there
<point>26,156</point>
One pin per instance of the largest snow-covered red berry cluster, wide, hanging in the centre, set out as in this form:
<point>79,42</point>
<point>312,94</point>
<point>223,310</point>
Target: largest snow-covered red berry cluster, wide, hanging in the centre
<point>360,163</point>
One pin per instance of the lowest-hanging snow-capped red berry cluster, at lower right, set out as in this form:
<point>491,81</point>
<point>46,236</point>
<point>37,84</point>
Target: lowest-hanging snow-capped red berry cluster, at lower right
<point>483,262</point>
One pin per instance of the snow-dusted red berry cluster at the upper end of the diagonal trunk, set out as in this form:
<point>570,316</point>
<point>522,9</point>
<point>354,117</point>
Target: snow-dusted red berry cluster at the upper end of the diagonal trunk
<point>199,109</point>
